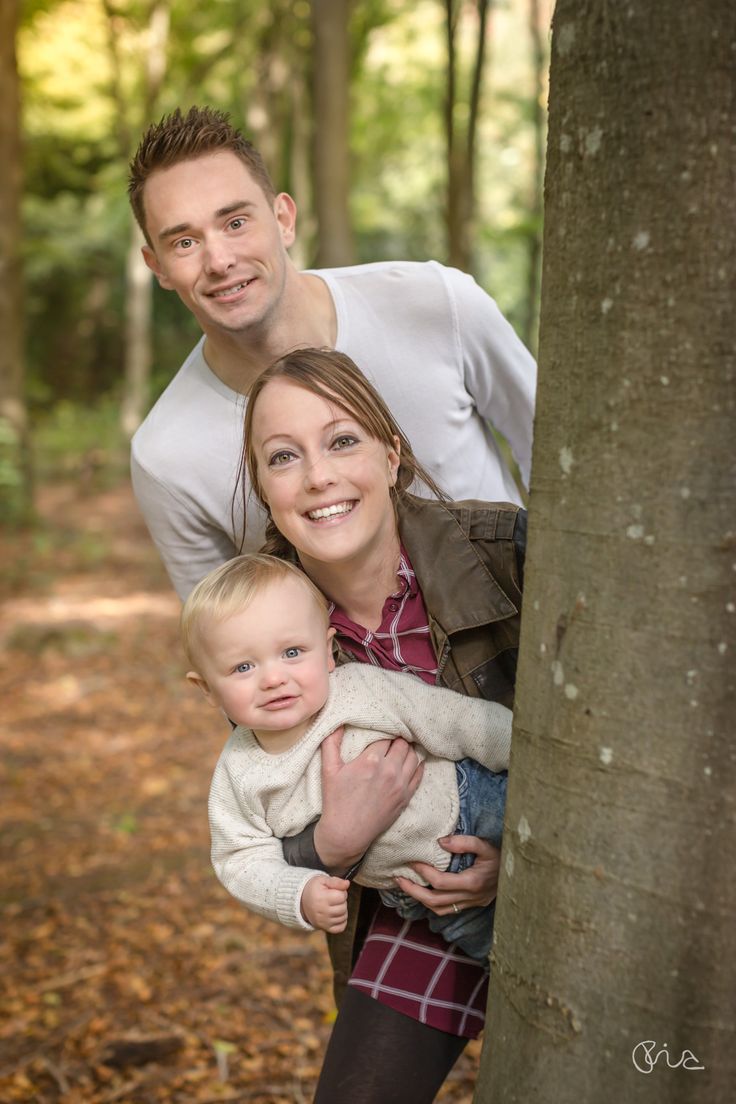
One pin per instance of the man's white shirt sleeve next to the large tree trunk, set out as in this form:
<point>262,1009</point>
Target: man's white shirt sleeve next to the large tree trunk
<point>500,373</point>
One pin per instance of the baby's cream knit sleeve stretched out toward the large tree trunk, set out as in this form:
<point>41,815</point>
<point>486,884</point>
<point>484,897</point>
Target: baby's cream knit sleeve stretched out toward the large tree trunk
<point>449,725</point>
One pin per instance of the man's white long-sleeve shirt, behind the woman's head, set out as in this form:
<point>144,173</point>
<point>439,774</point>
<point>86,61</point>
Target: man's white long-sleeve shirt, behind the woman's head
<point>434,345</point>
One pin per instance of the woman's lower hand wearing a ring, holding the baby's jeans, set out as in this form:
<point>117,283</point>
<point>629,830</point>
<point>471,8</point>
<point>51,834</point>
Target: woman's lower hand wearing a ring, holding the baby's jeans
<point>477,886</point>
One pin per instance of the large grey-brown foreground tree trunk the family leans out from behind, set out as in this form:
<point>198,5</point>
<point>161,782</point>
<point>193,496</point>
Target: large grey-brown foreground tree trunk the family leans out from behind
<point>616,929</point>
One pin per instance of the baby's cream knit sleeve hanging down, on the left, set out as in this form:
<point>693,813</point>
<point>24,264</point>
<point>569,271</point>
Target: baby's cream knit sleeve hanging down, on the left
<point>249,859</point>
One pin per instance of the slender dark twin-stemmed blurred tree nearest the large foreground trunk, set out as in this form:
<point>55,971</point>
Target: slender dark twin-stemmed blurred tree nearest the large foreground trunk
<point>462,114</point>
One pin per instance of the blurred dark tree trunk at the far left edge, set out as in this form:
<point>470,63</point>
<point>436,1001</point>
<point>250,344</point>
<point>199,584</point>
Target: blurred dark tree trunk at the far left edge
<point>16,475</point>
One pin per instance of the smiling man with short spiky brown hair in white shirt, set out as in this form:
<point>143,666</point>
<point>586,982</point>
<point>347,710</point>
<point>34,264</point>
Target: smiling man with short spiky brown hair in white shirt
<point>433,343</point>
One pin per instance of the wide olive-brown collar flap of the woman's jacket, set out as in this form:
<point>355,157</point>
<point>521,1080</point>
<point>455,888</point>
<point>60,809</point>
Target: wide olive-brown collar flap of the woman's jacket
<point>458,589</point>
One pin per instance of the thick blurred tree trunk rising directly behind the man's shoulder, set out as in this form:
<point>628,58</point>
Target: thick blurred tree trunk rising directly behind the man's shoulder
<point>332,83</point>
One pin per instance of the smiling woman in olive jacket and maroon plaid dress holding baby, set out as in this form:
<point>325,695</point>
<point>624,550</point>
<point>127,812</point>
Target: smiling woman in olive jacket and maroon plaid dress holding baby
<point>418,586</point>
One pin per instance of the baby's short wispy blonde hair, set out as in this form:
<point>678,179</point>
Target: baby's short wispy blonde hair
<point>231,588</point>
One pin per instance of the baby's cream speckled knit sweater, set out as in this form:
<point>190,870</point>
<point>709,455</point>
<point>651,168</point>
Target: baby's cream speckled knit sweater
<point>258,799</point>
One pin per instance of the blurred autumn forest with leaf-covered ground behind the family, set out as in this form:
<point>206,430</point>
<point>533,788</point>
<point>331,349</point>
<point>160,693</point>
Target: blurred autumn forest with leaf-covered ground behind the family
<point>403,130</point>
